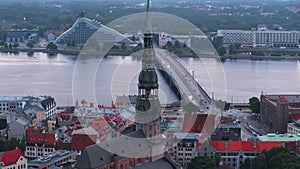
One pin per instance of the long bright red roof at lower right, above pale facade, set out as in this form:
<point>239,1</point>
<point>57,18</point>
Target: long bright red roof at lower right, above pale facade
<point>244,145</point>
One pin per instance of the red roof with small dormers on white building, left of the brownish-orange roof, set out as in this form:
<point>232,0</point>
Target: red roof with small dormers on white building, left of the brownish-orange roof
<point>36,137</point>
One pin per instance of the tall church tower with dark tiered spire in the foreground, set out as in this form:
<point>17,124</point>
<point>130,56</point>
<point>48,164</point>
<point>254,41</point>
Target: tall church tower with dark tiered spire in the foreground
<point>148,107</point>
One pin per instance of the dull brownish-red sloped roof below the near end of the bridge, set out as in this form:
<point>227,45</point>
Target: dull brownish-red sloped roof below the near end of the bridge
<point>193,123</point>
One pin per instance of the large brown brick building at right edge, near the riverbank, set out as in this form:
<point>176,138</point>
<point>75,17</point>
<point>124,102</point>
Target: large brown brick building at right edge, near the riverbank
<point>278,110</point>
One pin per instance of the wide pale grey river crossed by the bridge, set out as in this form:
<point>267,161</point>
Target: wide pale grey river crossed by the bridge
<point>117,75</point>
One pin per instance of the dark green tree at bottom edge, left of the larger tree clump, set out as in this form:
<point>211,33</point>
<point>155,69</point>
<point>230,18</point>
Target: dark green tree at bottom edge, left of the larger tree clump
<point>202,162</point>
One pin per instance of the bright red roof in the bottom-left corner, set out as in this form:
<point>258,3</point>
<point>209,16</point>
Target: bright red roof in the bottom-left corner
<point>11,157</point>
